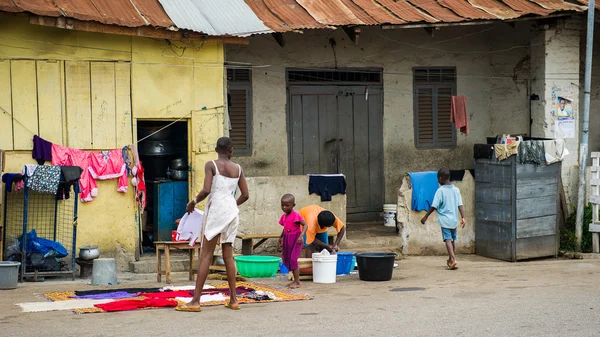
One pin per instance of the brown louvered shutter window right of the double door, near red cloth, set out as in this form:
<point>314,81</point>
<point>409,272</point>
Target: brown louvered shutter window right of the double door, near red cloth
<point>433,91</point>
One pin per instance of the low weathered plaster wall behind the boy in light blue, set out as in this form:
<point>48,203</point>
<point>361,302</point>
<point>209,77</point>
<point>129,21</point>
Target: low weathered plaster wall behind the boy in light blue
<point>419,239</point>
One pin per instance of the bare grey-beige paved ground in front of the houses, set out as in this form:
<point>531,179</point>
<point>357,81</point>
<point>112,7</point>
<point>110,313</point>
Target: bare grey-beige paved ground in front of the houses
<point>483,298</point>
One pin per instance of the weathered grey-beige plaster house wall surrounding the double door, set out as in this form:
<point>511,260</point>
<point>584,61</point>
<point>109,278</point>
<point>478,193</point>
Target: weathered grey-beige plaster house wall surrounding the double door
<point>489,61</point>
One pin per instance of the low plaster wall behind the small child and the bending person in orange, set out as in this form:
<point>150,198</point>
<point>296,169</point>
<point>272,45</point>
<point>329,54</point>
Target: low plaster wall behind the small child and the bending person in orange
<point>261,213</point>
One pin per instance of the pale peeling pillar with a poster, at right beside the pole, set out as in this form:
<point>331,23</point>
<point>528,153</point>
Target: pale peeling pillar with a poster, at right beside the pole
<point>555,63</point>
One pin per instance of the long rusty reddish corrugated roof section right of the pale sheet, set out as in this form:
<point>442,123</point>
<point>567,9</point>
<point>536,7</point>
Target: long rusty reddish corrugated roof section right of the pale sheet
<point>288,15</point>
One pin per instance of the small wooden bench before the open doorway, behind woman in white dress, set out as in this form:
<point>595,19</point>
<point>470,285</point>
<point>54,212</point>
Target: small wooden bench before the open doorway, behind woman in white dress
<point>168,246</point>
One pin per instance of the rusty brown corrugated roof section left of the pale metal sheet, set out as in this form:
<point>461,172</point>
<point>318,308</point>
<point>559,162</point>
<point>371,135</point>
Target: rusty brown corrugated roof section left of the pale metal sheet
<point>127,13</point>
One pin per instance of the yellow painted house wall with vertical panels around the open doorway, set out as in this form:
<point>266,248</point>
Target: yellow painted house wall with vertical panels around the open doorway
<point>90,107</point>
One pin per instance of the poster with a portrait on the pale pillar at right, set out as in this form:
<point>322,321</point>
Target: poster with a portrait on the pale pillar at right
<point>564,112</point>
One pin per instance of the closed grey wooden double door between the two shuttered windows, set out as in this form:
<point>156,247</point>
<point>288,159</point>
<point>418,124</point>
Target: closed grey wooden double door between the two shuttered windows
<point>339,129</point>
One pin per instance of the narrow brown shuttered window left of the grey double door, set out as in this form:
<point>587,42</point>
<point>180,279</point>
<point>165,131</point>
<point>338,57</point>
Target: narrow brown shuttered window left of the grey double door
<point>239,101</point>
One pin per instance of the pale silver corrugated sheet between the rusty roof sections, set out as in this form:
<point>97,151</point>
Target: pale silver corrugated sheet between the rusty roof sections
<point>222,17</point>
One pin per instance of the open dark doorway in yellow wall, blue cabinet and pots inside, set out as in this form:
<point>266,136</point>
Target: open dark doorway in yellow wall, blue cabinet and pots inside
<point>164,154</point>
